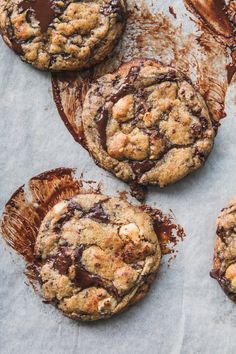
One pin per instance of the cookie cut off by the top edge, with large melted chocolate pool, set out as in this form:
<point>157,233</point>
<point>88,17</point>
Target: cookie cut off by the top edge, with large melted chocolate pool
<point>62,35</point>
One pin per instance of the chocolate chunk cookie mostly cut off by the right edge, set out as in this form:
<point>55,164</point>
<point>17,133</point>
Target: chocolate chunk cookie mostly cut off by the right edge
<point>224,265</point>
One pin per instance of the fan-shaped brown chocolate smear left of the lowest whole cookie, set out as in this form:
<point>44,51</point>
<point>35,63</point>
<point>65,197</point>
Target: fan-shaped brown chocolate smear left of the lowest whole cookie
<point>27,207</point>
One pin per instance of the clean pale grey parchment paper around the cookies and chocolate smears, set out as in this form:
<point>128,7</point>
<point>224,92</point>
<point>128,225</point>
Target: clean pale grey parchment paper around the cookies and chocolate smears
<point>186,311</point>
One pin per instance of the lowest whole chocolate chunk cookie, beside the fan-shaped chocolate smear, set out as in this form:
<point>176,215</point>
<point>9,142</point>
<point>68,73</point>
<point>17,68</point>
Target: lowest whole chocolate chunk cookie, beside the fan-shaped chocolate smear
<point>98,255</point>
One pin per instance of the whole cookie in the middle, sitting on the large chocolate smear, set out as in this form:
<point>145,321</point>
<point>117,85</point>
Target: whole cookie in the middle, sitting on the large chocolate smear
<point>146,122</point>
